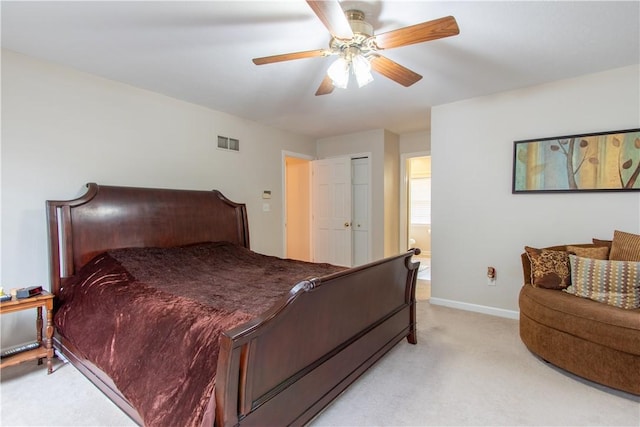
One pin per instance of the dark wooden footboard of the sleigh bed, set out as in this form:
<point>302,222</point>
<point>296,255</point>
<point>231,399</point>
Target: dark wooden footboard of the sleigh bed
<point>286,366</point>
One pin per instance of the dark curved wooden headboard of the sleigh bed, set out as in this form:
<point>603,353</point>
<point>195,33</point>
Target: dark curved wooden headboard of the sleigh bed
<point>119,217</point>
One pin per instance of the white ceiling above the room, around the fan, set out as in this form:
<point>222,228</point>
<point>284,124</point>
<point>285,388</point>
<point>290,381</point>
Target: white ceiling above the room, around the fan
<point>201,52</point>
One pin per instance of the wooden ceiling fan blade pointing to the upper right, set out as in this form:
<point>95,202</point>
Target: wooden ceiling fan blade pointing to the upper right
<point>430,30</point>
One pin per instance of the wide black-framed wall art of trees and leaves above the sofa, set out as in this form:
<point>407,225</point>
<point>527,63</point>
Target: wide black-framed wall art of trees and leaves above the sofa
<point>606,161</point>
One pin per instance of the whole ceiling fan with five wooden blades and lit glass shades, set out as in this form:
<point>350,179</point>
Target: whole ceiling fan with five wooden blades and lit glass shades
<point>357,47</point>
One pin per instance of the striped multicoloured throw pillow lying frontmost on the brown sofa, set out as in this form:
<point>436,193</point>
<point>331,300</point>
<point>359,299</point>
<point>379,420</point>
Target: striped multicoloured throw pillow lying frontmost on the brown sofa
<point>615,283</point>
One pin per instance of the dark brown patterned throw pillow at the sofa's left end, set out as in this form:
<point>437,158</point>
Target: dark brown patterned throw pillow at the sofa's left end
<point>549,269</point>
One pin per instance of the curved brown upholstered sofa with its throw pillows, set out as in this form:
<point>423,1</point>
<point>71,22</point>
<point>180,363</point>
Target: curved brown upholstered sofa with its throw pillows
<point>599,341</point>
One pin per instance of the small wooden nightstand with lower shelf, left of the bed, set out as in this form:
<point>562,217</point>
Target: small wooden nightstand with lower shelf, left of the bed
<point>45,299</point>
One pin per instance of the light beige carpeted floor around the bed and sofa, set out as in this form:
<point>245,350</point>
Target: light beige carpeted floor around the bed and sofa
<point>467,369</point>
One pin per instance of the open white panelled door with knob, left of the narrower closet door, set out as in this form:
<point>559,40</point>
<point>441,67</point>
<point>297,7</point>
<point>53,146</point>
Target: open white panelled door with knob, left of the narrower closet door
<point>331,211</point>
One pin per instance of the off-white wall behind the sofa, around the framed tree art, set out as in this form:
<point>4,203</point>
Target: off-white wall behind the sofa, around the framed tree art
<point>477,222</point>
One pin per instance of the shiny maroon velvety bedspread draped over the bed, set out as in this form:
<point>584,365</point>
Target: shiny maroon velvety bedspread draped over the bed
<point>151,318</point>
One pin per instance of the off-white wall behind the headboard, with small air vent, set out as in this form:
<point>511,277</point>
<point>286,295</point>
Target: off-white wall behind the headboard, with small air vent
<point>62,128</point>
